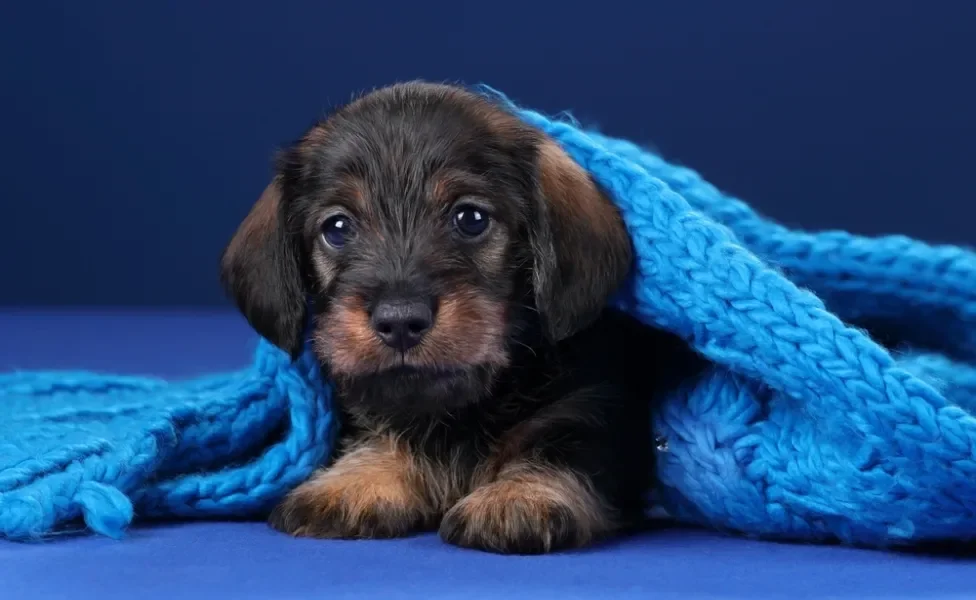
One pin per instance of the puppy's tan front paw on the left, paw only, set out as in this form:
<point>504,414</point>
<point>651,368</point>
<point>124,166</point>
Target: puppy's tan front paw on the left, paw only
<point>350,506</point>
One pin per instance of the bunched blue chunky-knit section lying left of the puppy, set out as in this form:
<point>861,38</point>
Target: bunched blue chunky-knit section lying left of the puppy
<point>103,449</point>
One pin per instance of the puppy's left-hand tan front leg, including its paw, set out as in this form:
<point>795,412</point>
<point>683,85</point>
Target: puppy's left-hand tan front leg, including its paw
<point>375,490</point>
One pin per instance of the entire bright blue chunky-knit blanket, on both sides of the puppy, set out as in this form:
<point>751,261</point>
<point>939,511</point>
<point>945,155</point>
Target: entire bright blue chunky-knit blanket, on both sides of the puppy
<point>803,427</point>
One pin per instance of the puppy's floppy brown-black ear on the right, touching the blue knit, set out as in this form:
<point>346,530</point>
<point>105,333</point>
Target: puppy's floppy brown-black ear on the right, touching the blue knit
<point>582,252</point>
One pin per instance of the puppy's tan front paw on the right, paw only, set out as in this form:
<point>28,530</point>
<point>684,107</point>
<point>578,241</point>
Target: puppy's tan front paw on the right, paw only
<point>534,513</point>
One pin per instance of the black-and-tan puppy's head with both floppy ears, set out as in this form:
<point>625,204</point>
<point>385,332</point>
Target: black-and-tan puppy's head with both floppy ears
<point>432,234</point>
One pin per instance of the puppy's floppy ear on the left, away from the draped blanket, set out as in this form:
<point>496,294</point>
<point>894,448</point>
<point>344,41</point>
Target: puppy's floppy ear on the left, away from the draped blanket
<point>260,270</point>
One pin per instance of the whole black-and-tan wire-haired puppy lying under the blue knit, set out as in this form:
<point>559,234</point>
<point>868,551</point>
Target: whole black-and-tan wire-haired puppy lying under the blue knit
<point>450,266</point>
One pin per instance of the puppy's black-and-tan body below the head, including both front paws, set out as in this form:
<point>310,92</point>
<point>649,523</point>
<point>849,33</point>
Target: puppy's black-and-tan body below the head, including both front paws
<point>560,455</point>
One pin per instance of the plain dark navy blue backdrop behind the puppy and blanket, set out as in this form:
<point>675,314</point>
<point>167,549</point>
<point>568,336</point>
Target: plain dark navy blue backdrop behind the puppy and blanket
<point>135,135</point>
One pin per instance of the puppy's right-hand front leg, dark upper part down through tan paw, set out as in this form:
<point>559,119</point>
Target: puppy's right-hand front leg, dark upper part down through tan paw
<point>558,484</point>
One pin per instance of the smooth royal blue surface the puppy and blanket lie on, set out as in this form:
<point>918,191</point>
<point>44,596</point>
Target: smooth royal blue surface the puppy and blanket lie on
<point>247,560</point>
